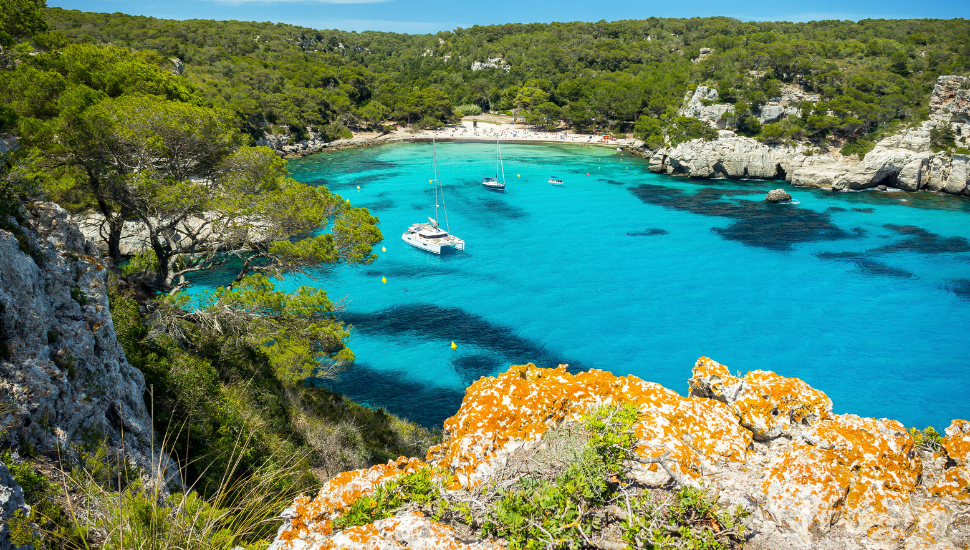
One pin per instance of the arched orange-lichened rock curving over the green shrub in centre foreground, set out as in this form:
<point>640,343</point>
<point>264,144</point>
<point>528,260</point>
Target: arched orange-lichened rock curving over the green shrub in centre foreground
<point>499,414</point>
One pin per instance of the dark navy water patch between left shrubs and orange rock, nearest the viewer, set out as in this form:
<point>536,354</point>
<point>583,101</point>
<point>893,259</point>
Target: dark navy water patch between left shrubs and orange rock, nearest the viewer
<point>427,405</point>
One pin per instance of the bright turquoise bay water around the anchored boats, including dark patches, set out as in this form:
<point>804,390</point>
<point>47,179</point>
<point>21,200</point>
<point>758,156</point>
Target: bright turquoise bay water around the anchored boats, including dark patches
<point>865,296</point>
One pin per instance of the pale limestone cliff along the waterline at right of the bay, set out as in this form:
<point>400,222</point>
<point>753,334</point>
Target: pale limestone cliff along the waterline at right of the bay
<point>902,161</point>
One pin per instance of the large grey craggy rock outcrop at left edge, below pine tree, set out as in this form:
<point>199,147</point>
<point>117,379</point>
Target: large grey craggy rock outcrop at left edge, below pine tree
<point>63,374</point>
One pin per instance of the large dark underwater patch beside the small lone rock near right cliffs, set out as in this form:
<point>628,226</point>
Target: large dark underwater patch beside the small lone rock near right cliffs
<point>757,223</point>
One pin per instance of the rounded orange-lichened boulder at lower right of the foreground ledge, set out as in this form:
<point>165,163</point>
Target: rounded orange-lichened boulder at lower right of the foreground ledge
<point>858,470</point>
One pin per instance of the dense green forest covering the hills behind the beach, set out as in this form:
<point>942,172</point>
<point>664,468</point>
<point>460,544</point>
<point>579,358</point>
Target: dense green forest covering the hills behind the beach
<point>869,75</point>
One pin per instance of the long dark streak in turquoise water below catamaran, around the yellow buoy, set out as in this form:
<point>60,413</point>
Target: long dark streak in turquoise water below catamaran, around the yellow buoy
<point>428,321</point>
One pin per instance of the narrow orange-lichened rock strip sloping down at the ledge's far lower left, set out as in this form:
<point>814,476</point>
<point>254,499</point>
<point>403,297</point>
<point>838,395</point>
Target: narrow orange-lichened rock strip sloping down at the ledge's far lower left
<point>309,519</point>
